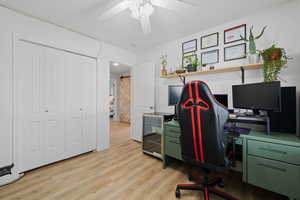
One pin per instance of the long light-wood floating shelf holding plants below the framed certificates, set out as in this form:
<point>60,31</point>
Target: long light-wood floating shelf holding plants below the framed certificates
<point>215,71</point>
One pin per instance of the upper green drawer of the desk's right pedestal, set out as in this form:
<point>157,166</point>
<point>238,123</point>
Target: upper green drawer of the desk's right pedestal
<point>273,151</point>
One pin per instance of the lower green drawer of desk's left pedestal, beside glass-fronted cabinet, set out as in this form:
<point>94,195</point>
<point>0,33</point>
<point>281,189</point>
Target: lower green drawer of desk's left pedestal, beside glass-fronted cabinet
<point>173,148</point>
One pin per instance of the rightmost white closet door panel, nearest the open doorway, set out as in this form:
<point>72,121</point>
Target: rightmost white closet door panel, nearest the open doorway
<point>89,104</point>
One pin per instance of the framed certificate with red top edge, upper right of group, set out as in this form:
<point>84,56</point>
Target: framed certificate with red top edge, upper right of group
<point>234,34</point>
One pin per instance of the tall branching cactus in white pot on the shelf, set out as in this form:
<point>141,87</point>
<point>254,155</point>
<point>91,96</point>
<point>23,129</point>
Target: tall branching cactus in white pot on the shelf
<point>253,56</point>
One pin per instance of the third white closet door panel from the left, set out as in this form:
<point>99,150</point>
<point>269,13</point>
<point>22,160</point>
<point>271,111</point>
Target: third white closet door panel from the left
<point>74,106</point>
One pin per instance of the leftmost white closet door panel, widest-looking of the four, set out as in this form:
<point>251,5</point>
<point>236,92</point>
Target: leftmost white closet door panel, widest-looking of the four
<point>29,110</point>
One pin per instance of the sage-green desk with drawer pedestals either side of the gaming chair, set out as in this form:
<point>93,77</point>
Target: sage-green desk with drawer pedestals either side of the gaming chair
<point>271,161</point>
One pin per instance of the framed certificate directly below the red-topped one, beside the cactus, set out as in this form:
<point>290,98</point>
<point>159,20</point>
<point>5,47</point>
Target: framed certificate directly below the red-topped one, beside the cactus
<point>235,52</point>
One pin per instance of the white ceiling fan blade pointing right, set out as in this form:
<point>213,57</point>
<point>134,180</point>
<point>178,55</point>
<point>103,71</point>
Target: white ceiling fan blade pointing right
<point>174,5</point>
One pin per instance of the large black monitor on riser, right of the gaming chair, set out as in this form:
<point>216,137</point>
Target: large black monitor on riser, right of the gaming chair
<point>258,96</point>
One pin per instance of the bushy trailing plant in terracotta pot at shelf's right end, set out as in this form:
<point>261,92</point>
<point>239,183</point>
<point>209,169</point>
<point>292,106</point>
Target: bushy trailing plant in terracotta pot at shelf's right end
<point>274,60</point>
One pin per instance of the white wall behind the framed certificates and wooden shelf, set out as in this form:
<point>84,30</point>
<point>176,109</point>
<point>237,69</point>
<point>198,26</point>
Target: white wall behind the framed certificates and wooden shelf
<point>283,28</point>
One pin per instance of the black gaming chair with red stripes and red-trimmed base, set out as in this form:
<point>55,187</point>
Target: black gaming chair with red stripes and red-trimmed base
<point>203,142</point>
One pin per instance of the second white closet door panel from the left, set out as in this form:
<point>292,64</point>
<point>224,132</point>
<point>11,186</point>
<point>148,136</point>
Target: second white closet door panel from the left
<point>53,73</point>
